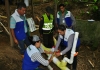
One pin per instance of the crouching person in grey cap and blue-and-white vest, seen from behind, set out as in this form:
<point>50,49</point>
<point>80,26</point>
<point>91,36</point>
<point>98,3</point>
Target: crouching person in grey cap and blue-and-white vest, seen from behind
<point>32,57</point>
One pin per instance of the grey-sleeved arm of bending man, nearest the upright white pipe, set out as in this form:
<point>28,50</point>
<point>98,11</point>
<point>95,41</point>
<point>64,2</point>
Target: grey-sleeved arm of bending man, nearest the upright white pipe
<point>70,44</point>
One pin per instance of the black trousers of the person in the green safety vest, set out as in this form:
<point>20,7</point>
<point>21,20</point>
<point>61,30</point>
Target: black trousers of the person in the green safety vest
<point>48,40</point>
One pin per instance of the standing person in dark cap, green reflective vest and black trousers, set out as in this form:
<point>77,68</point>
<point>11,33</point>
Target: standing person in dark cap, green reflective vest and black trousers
<point>46,28</point>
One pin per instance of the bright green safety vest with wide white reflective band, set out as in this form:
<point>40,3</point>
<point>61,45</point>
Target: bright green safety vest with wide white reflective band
<point>48,24</point>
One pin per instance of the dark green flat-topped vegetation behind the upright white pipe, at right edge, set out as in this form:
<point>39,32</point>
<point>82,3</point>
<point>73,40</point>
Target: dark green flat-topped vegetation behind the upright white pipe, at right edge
<point>89,33</point>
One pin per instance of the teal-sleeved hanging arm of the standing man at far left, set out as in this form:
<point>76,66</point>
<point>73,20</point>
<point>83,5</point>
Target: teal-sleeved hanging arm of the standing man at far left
<point>12,26</point>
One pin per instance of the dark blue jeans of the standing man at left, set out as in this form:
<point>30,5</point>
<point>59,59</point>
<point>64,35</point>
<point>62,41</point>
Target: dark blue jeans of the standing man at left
<point>22,44</point>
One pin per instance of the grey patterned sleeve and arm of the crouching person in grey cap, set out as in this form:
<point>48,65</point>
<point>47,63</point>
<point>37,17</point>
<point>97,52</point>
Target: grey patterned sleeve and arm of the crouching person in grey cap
<point>37,57</point>
